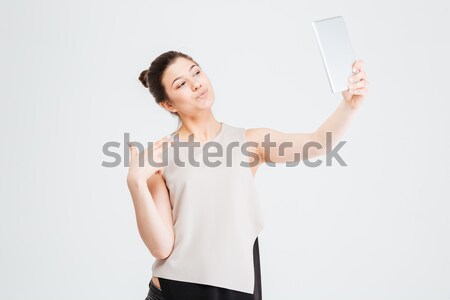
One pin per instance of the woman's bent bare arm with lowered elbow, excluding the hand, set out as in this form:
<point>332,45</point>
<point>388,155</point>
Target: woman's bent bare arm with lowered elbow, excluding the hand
<point>153,214</point>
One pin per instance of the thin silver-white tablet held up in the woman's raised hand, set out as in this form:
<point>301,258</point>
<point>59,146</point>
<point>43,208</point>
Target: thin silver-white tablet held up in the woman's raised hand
<point>336,50</point>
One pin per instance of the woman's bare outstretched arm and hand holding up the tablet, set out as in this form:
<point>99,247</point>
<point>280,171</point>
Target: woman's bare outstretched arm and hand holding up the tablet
<point>283,147</point>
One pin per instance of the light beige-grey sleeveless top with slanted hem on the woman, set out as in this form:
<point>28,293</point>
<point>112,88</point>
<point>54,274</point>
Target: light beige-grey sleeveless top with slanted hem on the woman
<point>216,213</point>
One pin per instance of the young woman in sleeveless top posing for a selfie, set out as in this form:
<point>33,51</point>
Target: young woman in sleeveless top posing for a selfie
<point>200,220</point>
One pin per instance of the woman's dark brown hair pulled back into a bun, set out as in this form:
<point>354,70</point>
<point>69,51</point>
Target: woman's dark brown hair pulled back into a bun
<point>152,77</point>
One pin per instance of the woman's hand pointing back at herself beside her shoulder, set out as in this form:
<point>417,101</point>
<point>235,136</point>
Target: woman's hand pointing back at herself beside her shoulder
<point>140,173</point>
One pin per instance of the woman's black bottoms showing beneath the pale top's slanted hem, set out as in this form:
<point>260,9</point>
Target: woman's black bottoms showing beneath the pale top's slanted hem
<point>180,290</point>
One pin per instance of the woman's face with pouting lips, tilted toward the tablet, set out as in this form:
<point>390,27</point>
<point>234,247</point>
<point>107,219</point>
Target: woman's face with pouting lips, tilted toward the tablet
<point>184,82</point>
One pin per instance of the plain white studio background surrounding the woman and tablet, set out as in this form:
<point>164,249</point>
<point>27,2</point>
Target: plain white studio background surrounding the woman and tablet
<point>376,229</point>
